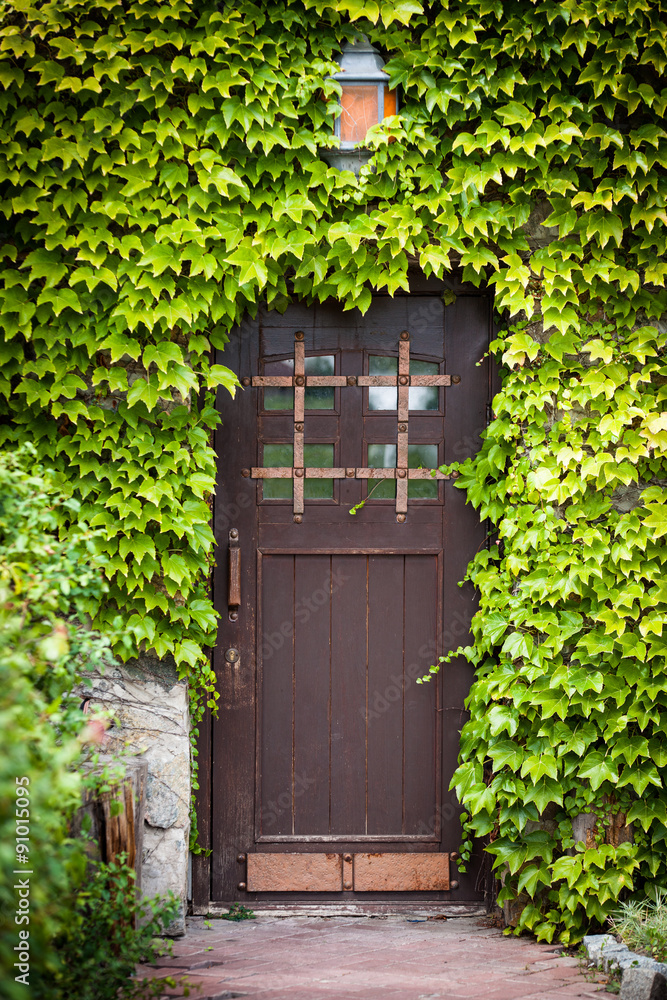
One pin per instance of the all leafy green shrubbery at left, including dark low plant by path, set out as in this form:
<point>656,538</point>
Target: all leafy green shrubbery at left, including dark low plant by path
<point>49,582</point>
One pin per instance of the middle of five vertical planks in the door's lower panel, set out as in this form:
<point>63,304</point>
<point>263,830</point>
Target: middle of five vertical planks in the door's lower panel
<point>349,658</point>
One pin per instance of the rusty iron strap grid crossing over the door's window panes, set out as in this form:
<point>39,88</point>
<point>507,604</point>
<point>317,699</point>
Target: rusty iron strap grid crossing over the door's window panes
<point>403,380</point>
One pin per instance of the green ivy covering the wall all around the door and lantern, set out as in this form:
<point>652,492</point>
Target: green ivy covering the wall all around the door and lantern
<point>161,176</point>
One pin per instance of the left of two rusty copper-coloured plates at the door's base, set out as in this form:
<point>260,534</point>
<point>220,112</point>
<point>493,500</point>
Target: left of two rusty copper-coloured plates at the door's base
<point>295,872</point>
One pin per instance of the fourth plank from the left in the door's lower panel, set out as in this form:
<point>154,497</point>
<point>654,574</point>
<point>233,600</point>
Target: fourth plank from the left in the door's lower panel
<point>385,694</point>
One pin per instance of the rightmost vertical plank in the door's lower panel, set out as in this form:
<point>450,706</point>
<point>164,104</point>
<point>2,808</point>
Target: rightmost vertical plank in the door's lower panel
<point>421,742</point>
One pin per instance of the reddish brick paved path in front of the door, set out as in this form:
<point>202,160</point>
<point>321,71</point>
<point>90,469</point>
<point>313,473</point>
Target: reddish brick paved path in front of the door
<point>344,958</point>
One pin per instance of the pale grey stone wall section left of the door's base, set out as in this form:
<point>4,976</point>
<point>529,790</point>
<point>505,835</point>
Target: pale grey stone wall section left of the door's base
<point>149,706</point>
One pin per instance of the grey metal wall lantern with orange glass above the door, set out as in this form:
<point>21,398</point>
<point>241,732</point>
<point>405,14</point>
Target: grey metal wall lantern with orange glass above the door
<point>365,101</point>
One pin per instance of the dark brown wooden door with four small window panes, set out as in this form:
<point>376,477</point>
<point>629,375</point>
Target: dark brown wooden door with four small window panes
<point>330,766</point>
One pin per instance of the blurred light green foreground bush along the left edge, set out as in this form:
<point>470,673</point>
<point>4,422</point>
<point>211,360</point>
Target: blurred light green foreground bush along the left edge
<point>47,584</point>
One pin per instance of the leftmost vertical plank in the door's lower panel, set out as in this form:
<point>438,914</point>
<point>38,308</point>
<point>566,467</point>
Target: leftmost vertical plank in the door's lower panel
<point>275,777</point>
